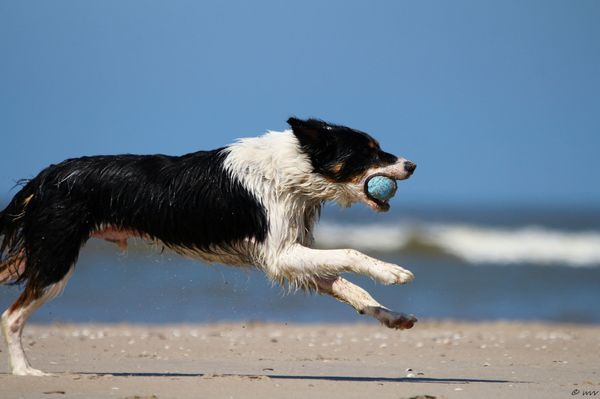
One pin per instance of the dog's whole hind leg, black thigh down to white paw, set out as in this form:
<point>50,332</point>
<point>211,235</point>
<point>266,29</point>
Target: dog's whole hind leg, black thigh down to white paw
<point>44,229</point>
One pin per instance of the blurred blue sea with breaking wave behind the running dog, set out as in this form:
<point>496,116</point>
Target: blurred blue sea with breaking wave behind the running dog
<point>470,263</point>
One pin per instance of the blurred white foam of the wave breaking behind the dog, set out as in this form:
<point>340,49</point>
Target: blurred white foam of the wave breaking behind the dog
<point>474,244</point>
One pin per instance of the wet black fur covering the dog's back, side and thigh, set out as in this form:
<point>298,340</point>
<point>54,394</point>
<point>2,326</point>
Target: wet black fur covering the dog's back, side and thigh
<point>189,201</point>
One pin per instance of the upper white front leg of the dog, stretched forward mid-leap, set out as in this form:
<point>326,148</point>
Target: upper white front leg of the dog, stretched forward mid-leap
<point>300,261</point>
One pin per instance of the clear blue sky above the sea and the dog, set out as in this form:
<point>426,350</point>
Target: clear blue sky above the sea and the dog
<point>497,102</point>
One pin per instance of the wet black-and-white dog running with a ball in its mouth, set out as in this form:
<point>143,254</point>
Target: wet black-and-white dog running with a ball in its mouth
<point>252,203</point>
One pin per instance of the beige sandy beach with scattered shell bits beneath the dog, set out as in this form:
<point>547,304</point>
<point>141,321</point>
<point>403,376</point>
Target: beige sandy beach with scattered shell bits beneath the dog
<point>257,360</point>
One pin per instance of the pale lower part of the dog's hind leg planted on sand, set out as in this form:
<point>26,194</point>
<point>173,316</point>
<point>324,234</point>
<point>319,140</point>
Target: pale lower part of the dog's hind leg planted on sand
<point>14,318</point>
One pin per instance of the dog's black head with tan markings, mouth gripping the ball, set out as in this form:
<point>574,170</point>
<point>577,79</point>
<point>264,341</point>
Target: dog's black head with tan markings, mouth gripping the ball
<point>350,157</point>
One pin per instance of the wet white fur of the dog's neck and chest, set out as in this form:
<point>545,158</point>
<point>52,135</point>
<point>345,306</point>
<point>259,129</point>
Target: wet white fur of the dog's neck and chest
<point>279,174</point>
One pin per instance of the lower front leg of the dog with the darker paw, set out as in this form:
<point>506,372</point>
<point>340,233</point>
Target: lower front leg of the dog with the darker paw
<point>359,299</point>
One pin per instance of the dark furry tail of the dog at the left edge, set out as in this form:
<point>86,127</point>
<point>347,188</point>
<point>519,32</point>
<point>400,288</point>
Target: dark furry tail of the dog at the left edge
<point>12,248</point>
